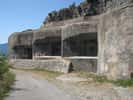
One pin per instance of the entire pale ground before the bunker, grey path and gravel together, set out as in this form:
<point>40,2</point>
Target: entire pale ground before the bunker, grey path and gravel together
<point>30,86</point>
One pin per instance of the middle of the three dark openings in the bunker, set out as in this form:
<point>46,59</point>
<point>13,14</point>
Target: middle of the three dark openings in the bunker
<point>50,46</point>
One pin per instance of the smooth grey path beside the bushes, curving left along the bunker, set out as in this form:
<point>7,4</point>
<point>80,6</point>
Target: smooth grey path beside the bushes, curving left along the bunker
<point>31,87</point>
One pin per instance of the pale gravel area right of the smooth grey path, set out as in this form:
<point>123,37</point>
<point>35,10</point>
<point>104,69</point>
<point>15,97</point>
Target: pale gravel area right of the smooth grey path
<point>94,91</point>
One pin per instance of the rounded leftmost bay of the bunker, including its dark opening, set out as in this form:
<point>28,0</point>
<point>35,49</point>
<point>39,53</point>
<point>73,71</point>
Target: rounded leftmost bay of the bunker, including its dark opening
<point>20,44</point>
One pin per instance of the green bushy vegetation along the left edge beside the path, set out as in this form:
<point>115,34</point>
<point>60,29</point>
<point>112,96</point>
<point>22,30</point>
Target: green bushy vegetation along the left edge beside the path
<point>6,78</point>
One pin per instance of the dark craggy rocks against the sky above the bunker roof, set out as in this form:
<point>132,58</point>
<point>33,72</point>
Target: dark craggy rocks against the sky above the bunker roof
<point>86,8</point>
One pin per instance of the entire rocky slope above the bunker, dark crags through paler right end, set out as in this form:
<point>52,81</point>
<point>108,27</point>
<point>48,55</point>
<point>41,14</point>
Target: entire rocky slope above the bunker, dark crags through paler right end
<point>85,8</point>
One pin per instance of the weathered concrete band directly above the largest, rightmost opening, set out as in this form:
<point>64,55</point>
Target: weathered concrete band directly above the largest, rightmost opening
<point>86,26</point>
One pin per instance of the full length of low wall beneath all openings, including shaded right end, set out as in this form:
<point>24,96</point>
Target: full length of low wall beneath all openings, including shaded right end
<point>60,65</point>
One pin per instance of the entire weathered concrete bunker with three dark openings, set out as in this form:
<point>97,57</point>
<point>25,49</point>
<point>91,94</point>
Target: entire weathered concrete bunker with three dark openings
<point>76,41</point>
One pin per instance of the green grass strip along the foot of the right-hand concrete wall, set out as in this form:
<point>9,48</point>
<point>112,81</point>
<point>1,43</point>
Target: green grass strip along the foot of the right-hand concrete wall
<point>103,79</point>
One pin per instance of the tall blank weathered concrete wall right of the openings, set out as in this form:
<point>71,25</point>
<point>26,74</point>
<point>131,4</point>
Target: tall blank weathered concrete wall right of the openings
<point>116,43</point>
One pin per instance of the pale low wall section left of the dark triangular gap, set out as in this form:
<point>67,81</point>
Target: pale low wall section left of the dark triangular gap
<point>51,65</point>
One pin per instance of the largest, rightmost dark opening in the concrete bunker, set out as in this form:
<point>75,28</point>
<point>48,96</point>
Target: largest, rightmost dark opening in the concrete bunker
<point>82,45</point>
